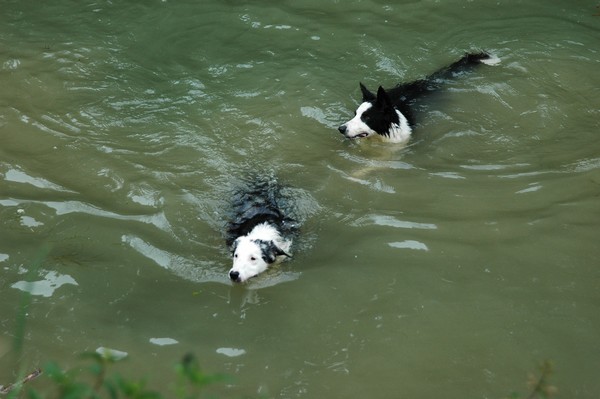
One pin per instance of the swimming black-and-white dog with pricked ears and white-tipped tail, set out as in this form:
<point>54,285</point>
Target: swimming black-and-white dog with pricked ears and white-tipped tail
<point>388,113</point>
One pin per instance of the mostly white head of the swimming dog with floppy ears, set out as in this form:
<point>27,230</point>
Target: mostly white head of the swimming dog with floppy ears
<point>252,257</point>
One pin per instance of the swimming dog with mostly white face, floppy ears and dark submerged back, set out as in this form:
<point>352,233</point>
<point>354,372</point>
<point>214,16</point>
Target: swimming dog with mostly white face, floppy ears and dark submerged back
<point>259,234</point>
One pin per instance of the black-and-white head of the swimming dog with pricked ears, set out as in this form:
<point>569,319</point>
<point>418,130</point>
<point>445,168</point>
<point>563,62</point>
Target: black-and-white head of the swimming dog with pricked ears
<point>376,115</point>
